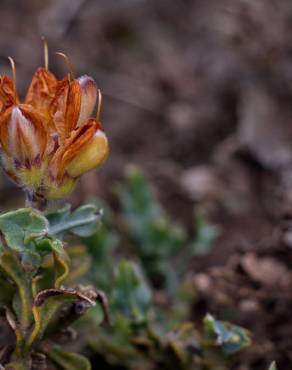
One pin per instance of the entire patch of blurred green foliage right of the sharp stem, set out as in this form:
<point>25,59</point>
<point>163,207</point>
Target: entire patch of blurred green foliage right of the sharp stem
<point>150,297</point>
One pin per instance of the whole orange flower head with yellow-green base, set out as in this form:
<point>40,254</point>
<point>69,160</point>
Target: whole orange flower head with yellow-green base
<point>51,139</point>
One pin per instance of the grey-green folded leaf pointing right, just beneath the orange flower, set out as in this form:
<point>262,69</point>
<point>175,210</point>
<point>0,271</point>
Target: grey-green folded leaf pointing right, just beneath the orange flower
<point>82,222</point>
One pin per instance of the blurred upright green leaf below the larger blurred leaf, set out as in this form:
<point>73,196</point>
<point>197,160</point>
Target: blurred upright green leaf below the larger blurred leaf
<point>131,294</point>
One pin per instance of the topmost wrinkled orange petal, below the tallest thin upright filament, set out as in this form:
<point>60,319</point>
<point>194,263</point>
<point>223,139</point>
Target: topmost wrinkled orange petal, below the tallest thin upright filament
<point>41,92</point>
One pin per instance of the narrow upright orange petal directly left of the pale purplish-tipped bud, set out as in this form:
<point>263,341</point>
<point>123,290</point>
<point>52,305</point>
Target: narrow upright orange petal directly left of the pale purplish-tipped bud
<point>66,107</point>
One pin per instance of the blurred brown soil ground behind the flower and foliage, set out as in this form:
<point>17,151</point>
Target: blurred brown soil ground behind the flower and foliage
<point>198,94</point>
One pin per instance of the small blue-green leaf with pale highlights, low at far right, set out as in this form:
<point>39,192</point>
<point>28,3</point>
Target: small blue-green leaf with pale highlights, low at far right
<point>230,338</point>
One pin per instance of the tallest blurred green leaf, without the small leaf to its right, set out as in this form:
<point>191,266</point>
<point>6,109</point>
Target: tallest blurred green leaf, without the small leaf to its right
<point>156,237</point>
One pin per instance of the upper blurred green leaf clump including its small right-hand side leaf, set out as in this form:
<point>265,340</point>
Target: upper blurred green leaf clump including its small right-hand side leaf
<point>156,239</point>
